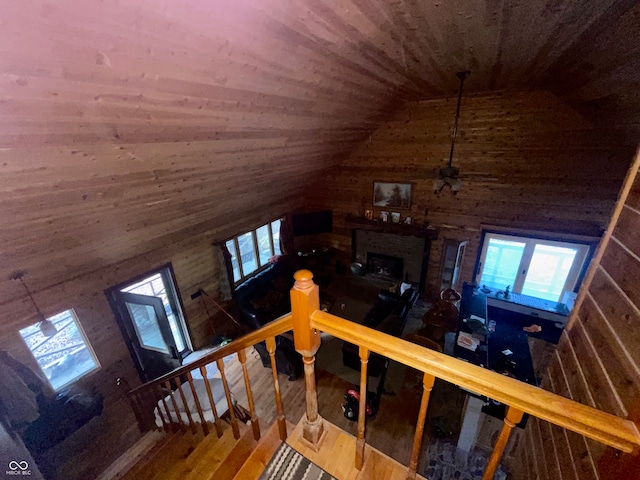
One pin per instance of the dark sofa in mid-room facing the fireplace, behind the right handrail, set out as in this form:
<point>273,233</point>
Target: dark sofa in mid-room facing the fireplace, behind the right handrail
<point>387,315</point>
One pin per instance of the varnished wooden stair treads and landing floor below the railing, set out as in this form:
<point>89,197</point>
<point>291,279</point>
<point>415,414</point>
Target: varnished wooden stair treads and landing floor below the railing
<point>188,456</point>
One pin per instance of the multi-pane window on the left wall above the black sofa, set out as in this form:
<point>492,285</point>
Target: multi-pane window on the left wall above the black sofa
<point>255,249</point>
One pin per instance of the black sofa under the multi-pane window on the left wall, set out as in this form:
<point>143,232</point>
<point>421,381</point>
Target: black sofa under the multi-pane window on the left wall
<point>264,298</point>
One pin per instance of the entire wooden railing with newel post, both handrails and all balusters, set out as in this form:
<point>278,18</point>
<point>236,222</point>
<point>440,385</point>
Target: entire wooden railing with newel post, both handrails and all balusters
<point>307,321</point>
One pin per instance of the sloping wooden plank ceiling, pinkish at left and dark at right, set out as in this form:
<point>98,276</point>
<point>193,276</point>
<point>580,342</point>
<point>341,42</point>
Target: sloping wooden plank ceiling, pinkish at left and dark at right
<point>127,124</point>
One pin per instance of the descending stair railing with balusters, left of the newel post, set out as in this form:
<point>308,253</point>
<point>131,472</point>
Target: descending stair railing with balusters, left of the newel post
<point>151,397</point>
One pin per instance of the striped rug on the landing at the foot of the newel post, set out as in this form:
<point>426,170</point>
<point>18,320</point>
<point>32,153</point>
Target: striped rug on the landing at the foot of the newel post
<point>288,464</point>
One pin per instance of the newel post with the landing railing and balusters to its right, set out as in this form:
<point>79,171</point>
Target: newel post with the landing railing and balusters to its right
<point>520,398</point>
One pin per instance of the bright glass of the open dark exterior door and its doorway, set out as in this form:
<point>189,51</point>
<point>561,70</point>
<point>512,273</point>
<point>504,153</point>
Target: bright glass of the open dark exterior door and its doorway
<point>145,322</point>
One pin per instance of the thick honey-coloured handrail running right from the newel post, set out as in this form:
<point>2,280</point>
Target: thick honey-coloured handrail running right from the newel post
<point>590,422</point>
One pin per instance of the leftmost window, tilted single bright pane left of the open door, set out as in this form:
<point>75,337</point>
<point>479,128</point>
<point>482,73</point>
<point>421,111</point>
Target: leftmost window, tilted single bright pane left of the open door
<point>65,356</point>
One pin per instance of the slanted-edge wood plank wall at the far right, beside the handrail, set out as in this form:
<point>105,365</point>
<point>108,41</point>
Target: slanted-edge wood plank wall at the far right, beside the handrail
<point>598,361</point>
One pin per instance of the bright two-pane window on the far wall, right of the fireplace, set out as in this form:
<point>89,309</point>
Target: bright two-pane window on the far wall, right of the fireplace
<point>531,266</point>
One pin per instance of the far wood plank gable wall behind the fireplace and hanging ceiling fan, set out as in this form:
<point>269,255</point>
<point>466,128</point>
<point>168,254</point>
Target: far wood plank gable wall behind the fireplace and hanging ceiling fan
<point>526,160</point>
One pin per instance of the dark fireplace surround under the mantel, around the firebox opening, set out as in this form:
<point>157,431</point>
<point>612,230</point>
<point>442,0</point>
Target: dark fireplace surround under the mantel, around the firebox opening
<point>408,247</point>
